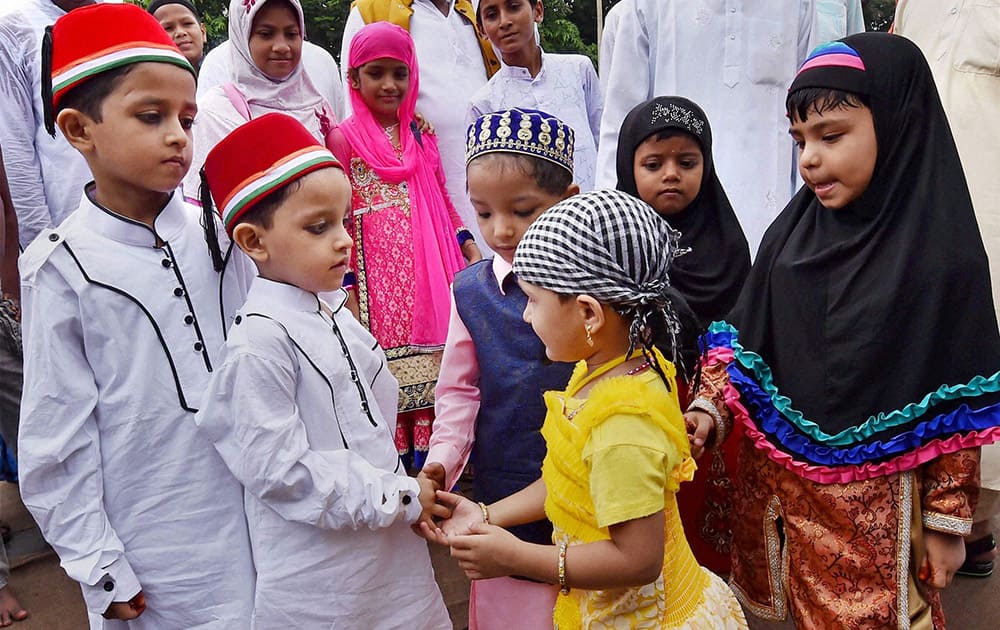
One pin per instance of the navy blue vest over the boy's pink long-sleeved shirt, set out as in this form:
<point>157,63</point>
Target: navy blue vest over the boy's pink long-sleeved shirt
<point>513,374</point>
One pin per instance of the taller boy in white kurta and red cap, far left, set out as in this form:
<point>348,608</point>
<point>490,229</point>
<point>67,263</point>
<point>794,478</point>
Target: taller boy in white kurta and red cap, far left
<point>123,318</point>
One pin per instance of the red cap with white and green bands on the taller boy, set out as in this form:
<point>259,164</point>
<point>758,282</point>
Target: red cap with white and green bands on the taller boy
<point>95,39</point>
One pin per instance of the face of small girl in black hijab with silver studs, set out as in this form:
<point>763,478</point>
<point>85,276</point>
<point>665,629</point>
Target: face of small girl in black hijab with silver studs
<point>668,172</point>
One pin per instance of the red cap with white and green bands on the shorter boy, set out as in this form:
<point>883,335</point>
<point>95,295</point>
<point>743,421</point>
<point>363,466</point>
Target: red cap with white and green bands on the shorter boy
<point>258,158</point>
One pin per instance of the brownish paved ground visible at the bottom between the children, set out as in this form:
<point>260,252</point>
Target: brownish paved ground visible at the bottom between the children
<point>55,602</point>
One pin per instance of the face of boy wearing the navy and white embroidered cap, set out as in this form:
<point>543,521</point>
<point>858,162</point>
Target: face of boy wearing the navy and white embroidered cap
<point>506,200</point>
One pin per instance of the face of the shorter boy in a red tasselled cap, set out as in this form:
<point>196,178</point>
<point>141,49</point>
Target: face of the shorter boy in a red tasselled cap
<point>307,244</point>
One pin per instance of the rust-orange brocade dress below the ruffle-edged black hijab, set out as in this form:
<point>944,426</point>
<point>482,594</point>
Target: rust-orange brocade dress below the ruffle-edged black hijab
<point>837,555</point>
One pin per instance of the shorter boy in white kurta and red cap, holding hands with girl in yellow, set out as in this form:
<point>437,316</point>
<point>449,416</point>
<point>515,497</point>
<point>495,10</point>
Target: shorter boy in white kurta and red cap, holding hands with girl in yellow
<point>302,407</point>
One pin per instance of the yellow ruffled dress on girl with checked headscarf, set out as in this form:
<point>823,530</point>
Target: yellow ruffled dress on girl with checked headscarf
<point>618,455</point>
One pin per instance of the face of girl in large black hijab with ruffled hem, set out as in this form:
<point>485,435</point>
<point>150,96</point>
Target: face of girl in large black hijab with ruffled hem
<point>837,153</point>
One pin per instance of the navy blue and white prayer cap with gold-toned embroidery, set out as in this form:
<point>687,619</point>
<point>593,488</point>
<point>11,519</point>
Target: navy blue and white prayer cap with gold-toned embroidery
<point>524,131</point>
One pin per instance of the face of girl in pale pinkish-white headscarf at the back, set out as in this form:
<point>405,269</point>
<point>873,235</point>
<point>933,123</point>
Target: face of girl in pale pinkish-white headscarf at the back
<point>276,40</point>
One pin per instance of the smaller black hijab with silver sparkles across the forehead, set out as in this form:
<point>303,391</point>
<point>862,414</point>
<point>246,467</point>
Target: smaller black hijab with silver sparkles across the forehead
<point>711,274</point>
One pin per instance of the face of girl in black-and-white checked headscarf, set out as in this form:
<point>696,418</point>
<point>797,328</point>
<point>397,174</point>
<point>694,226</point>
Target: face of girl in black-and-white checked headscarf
<point>557,322</point>
